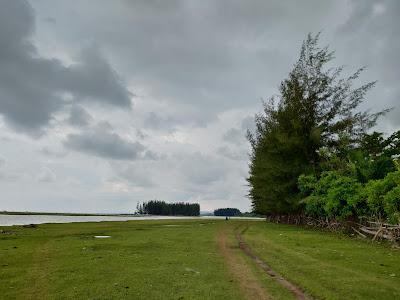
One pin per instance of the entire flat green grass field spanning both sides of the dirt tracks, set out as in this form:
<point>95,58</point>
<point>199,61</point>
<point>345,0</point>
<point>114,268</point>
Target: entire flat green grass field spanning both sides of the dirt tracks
<point>190,259</point>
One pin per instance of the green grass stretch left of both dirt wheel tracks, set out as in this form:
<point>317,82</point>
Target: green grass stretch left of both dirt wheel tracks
<point>142,260</point>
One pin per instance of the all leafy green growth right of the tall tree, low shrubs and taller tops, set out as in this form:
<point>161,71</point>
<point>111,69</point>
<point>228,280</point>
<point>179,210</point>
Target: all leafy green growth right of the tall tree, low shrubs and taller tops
<point>364,183</point>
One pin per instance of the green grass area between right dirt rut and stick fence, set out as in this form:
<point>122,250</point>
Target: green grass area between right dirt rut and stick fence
<point>328,266</point>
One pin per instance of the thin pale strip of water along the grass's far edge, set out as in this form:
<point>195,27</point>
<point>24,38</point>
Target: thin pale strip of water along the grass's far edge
<point>10,220</point>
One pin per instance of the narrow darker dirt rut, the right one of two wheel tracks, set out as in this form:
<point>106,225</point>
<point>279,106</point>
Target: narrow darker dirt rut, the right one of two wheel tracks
<point>296,291</point>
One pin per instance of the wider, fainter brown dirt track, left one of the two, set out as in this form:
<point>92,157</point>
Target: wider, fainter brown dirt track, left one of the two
<point>244,277</point>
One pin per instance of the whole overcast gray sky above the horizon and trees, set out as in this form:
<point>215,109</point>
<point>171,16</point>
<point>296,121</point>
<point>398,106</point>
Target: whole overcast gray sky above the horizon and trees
<point>106,103</point>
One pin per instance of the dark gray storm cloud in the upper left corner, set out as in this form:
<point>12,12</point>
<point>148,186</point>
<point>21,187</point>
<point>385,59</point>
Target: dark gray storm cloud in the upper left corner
<point>31,87</point>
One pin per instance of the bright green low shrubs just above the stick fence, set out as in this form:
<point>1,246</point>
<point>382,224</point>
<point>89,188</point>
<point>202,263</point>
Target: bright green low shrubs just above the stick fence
<point>341,197</point>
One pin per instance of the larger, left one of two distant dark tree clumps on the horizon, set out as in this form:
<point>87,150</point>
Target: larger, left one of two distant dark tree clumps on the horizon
<point>156,207</point>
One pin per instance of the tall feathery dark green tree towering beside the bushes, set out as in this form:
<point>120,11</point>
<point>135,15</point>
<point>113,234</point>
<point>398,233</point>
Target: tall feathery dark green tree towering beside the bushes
<point>315,112</point>
